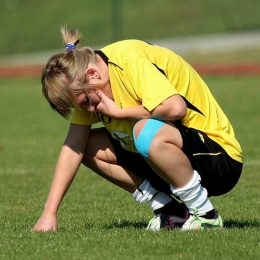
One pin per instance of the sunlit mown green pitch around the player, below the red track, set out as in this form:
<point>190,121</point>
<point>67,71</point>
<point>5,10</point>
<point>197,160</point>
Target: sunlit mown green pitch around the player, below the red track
<point>98,220</point>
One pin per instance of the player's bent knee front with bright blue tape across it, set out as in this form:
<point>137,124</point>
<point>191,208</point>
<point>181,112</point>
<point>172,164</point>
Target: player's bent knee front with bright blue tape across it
<point>144,133</point>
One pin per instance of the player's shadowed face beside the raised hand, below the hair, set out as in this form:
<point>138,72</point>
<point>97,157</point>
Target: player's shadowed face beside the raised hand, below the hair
<point>88,100</point>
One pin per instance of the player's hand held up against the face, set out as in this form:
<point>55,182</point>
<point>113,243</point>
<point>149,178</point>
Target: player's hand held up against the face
<point>106,105</point>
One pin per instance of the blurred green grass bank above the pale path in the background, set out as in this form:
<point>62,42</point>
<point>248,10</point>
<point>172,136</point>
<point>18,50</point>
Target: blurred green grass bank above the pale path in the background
<point>29,26</point>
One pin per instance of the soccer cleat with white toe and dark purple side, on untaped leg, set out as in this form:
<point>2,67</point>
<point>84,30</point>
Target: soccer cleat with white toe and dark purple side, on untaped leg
<point>166,221</point>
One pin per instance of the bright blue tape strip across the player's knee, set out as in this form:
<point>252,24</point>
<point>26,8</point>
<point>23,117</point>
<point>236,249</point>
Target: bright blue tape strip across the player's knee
<point>143,142</point>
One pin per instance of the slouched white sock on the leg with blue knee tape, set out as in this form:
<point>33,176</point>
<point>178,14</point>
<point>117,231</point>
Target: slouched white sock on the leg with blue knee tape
<point>194,195</point>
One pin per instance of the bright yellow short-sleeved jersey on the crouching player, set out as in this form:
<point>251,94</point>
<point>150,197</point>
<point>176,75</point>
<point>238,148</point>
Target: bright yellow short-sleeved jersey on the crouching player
<point>143,74</point>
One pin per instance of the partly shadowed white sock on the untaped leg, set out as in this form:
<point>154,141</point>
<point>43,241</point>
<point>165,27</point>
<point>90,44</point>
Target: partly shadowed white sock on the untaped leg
<point>146,194</point>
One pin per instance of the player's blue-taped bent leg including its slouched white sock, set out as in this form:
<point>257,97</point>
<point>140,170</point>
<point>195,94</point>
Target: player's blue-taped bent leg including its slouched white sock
<point>167,159</point>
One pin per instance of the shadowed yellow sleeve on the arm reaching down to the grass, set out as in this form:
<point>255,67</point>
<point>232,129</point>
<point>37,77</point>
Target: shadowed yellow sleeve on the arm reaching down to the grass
<point>83,117</point>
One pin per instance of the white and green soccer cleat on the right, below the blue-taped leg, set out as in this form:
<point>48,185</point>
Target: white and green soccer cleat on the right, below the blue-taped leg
<point>197,222</point>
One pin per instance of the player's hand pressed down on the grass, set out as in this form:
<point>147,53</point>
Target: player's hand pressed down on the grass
<point>47,222</point>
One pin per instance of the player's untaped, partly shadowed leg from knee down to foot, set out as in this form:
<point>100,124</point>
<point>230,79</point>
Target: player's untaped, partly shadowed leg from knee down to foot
<point>101,158</point>
